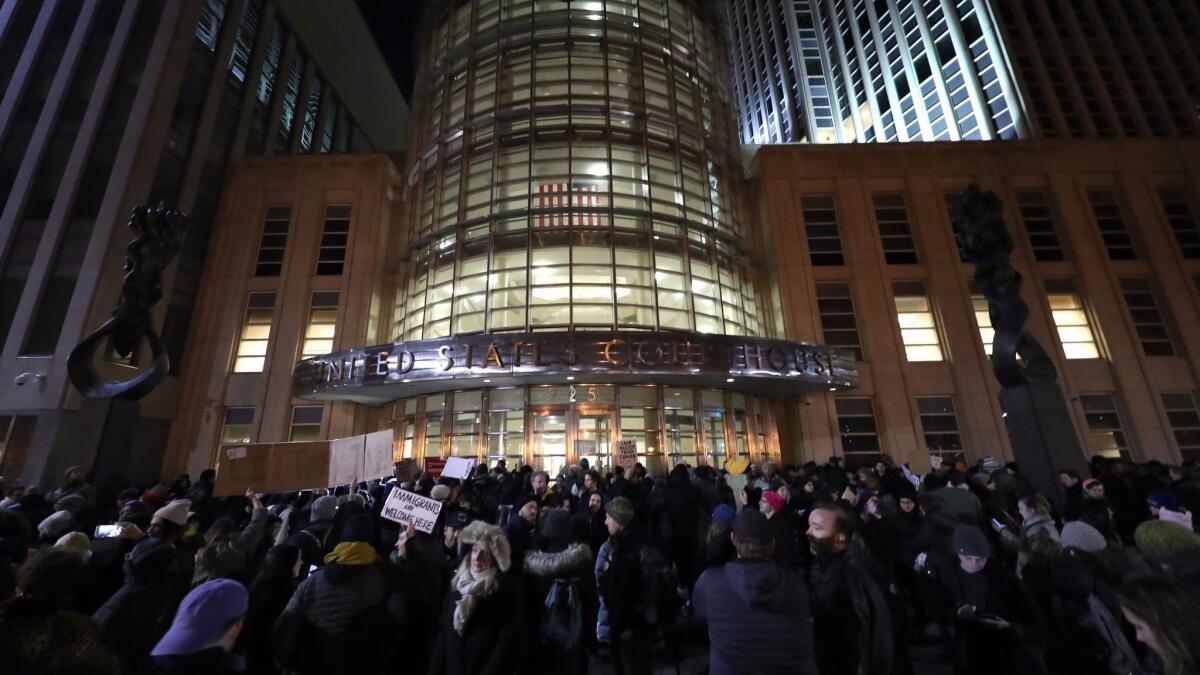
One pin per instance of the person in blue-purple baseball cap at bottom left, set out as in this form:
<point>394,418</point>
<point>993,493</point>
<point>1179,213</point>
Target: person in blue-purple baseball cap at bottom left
<point>206,628</point>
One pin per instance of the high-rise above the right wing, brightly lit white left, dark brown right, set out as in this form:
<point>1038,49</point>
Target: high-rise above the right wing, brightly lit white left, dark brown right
<point>843,71</point>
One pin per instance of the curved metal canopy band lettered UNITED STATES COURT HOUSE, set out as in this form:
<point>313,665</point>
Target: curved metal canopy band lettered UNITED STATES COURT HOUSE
<point>385,372</point>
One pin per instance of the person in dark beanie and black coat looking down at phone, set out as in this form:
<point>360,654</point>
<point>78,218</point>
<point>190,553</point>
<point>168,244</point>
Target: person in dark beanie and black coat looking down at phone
<point>998,628</point>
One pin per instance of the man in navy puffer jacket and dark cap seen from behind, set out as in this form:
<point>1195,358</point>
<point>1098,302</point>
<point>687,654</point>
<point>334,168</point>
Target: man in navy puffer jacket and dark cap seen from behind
<point>758,613</point>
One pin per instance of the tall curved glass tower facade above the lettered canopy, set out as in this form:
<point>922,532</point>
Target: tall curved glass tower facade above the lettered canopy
<point>575,169</point>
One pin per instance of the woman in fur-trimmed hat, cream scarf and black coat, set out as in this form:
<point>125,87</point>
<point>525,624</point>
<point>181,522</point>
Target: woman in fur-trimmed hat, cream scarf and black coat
<point>481,632</point>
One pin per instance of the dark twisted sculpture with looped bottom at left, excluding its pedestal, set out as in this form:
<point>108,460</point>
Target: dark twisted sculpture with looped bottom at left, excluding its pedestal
<point>159,235</point>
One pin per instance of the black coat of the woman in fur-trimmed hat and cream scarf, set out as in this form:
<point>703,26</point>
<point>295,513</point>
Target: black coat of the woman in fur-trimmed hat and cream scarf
<point>493,640</point>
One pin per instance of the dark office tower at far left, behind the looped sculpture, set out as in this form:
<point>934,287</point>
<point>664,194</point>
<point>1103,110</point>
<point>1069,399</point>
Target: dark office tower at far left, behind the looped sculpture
<point>112,104</point>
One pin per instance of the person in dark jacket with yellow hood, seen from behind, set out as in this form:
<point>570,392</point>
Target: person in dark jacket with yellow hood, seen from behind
<point>339,610</point>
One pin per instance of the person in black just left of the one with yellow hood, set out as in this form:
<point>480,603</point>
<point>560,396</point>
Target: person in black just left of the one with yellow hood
<point>269,594</point>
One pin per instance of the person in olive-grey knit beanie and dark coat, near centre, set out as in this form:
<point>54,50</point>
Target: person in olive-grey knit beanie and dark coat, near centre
<point>620,581</point>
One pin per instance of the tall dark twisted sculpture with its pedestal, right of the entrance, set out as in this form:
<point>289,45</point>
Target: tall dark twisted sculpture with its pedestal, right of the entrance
<point>1040,426</point>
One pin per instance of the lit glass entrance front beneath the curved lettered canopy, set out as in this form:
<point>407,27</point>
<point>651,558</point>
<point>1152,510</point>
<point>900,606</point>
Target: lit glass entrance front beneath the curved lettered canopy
<point>550,427</point>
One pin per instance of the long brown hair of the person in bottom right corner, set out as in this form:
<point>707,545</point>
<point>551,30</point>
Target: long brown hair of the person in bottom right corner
<point>1169,610</point>
